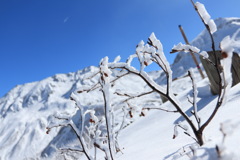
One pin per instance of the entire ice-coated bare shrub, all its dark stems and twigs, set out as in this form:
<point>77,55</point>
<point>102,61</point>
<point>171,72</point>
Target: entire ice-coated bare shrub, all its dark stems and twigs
<point>102,130</point>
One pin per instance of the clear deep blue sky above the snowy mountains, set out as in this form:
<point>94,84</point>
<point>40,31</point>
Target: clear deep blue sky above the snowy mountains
<point>40,38</point>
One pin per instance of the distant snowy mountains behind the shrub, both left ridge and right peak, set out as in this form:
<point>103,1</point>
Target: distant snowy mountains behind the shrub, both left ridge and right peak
<point>29,107</point>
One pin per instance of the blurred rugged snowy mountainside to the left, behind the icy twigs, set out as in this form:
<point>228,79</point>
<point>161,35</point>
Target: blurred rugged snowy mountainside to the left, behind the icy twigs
<point>27,109</point>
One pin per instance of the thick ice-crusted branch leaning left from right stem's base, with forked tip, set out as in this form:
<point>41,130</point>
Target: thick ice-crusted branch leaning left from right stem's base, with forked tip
<point>155,51</point>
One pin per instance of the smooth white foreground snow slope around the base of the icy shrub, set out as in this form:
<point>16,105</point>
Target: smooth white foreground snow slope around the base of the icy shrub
<point>154,140</point>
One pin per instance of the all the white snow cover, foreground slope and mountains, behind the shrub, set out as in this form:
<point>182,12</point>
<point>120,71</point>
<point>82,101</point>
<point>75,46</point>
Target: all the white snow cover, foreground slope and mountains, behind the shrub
<point>27,110</point>
